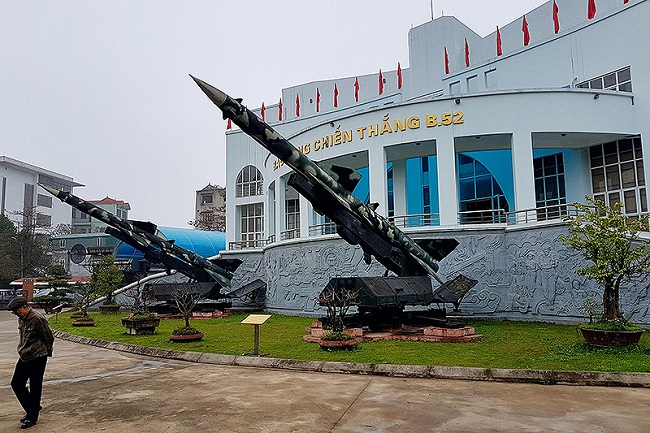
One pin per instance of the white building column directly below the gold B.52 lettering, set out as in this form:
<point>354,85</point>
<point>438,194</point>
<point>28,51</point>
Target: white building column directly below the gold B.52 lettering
<point>447,183</point>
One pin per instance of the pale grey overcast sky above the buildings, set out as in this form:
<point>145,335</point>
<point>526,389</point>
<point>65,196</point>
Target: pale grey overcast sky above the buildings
<point>99,90</point>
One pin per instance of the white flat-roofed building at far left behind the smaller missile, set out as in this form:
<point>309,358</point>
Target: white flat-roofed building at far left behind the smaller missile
<point>20,194</point>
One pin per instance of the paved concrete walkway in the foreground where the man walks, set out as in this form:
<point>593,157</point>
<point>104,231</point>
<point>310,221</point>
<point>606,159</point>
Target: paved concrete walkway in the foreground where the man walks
<point>90,389</point>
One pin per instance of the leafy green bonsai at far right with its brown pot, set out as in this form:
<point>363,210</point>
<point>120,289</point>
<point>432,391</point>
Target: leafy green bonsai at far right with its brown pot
<point>609,240</point>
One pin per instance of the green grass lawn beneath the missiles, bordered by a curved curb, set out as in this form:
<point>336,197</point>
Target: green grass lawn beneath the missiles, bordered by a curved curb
<point>518,345</point>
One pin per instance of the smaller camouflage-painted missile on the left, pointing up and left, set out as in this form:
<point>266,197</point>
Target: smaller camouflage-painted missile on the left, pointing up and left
<point>143,237</point>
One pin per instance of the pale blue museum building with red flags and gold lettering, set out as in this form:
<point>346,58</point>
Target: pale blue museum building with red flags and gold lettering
<point>484,139</point>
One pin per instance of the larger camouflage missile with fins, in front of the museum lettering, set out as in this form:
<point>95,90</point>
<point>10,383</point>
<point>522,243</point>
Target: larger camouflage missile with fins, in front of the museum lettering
<point>356,222</point>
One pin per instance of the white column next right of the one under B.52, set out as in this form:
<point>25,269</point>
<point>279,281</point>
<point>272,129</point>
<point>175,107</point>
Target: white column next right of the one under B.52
<point>523,171</point>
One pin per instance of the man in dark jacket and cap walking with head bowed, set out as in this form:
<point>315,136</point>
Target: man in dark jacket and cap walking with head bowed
<point>36,341</point>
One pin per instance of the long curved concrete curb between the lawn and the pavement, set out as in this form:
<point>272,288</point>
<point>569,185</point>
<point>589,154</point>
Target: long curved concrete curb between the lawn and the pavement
<point>544,377</point>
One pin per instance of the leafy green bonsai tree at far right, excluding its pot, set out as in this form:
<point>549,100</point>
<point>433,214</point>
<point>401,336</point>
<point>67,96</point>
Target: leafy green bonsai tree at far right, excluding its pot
<point>610,241</point>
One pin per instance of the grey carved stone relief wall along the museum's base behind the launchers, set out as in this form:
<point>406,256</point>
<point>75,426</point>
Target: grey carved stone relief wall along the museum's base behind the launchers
<point>523,274</point>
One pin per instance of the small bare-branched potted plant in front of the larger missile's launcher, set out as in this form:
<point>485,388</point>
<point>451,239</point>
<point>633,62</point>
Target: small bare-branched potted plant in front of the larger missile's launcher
<point>338,301</point>
